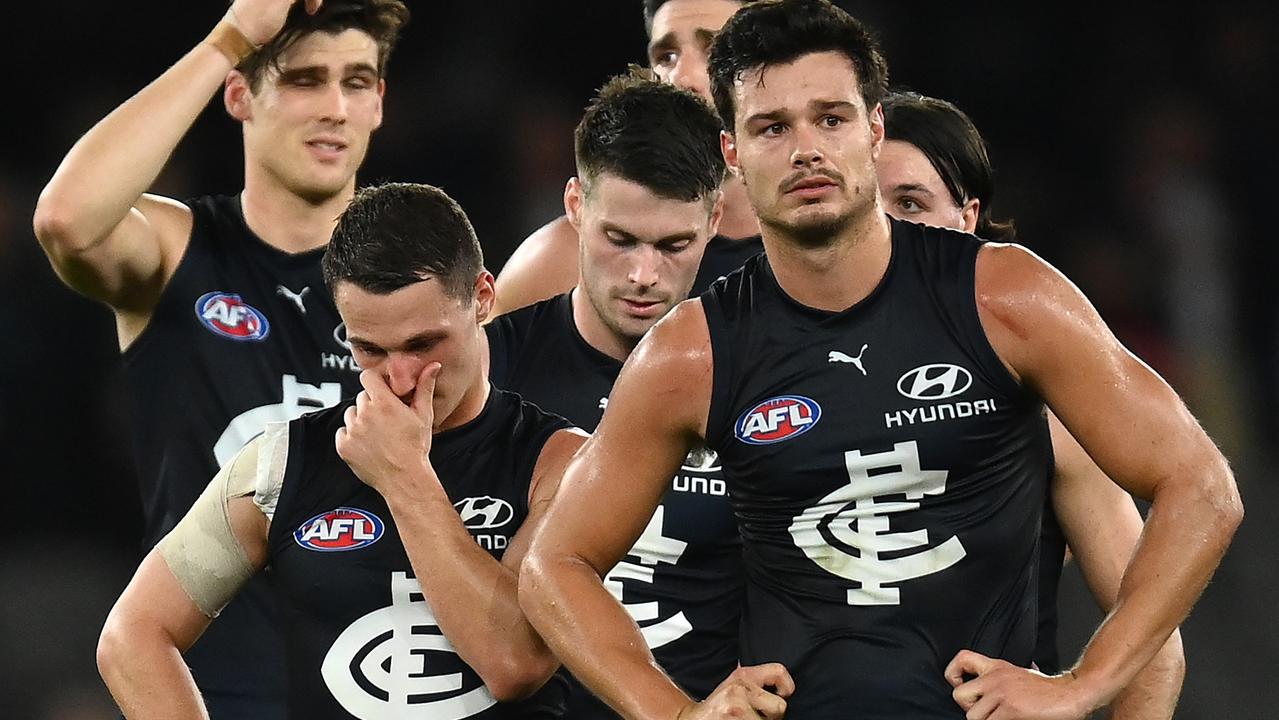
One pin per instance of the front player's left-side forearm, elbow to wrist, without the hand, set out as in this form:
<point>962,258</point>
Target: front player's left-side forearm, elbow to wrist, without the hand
<point>597,640</point>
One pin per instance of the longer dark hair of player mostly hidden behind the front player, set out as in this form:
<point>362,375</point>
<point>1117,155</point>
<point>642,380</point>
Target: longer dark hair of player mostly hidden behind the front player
<point>955,148</point>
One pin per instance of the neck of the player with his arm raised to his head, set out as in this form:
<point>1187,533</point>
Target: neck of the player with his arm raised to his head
<point>287,222</point>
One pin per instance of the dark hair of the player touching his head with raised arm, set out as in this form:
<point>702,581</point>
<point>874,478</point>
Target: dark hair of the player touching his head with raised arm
<point>381,20</point>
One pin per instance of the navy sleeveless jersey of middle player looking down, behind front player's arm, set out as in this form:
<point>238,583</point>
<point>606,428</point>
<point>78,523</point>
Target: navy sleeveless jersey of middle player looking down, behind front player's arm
<point>682,583</point>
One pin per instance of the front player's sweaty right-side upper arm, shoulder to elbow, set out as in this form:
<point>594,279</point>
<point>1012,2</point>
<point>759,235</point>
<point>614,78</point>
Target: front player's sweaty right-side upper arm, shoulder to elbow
<point>1124,414</point>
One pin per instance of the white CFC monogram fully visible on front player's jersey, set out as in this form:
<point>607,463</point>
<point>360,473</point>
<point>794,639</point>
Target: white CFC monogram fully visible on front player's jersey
<point>847,531</point>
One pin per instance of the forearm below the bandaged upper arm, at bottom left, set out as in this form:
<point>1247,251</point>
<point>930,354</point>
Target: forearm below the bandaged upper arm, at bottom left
<point>148,677</point>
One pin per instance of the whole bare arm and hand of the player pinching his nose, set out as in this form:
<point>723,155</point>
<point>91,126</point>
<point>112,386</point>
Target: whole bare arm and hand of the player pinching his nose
<point>473,595</point>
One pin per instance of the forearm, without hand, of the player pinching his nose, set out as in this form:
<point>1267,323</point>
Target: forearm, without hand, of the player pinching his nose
<point>473,595</point>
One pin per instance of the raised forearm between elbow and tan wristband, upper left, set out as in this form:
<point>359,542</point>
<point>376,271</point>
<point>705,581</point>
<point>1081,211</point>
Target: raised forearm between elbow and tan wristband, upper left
<point>109,169</point>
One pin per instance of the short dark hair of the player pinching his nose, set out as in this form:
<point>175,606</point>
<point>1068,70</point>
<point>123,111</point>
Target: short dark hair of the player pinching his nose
<point>397,235</point>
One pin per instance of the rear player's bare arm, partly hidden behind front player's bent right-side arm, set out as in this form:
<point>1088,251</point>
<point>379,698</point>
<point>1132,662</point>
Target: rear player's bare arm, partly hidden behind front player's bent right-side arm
<point>1103,526</point>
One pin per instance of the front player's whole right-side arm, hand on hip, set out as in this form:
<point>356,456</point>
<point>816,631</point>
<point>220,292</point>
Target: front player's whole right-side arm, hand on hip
<point>1142,435</point>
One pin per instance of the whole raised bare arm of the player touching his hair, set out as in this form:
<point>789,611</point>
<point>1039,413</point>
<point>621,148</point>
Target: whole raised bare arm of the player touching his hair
<point>104,236</point>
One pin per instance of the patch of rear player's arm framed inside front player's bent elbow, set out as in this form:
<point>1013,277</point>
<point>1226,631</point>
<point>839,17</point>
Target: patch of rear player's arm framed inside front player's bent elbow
<point>1101,521</point>
